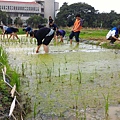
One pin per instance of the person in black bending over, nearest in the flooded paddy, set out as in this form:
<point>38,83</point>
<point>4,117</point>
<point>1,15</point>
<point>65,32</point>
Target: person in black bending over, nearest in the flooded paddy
<point>44,36</point>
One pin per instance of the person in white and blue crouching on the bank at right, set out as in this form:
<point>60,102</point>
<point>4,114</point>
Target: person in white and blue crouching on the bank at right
<point>113,34</point>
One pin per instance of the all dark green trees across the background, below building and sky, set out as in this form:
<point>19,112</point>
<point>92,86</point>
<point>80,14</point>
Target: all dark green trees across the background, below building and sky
<point>65,17</point>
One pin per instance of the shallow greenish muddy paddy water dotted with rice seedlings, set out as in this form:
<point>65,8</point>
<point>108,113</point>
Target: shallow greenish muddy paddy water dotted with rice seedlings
<point>69,83</point>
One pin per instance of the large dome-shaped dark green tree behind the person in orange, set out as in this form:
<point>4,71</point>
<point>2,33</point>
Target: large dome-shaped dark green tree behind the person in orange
<point>66,16</point>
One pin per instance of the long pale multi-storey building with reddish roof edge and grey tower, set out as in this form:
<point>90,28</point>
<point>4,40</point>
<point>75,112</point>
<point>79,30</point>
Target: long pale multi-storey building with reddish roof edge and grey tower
<point>24,10</point>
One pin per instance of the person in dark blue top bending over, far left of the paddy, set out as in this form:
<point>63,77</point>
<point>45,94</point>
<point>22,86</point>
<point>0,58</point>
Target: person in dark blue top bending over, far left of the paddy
<point>12,31</point>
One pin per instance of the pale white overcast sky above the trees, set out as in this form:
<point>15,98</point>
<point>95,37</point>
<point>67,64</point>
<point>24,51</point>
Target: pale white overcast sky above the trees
<point>101,5</point>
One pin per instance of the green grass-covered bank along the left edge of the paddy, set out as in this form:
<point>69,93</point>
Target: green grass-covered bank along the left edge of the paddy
<point>12,78</point>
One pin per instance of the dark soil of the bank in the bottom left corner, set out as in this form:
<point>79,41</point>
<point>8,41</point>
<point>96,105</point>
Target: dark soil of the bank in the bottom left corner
<point>5,104</point>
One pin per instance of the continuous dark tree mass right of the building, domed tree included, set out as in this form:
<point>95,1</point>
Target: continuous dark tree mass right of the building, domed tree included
<point>92,17</point>
